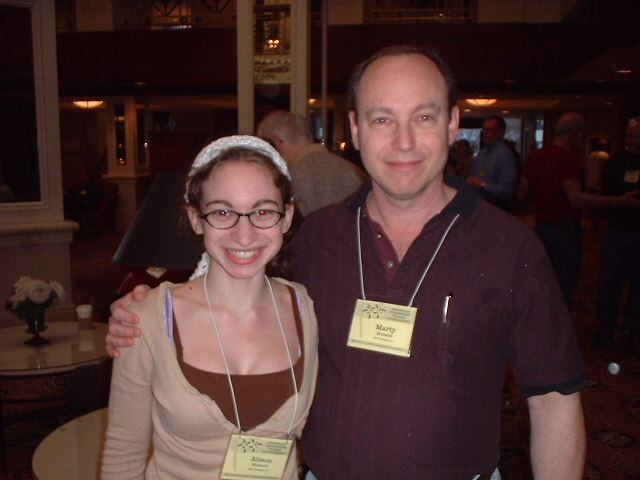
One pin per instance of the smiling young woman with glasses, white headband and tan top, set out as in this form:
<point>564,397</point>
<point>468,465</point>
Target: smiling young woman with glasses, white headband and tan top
<point>223,376</point>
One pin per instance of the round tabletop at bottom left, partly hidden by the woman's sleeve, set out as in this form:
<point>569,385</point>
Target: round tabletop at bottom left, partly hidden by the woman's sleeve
<point>74,450</point>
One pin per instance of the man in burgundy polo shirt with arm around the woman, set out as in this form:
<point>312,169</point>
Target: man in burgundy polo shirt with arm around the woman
<point>424,293</point>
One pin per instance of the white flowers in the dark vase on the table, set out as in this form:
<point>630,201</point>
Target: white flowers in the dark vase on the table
<point>31,295</point>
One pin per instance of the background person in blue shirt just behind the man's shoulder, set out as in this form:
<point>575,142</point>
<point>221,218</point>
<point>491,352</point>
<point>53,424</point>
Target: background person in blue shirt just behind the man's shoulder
<point>494,174</point>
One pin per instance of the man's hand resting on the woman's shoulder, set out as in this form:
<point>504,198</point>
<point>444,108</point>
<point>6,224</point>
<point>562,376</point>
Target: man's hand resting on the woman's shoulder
<point>122,329</point>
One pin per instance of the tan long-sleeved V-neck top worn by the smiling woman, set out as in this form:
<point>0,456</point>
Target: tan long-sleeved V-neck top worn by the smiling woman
<point>152,403</point>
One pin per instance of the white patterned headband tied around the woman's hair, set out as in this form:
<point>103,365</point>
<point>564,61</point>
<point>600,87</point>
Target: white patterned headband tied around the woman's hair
<point>213,151</point>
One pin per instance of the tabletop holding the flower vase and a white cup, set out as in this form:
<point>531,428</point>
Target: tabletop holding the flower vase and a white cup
<point>70,347</point>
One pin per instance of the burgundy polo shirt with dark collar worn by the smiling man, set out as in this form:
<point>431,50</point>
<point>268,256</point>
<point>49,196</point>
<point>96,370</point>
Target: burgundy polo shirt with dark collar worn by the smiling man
<point>436,414</point>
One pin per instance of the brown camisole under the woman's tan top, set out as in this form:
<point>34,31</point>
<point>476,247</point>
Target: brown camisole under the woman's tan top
<point>258,396</point>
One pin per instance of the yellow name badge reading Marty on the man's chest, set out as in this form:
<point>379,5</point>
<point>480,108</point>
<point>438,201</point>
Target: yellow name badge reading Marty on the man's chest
<point>382,327</point>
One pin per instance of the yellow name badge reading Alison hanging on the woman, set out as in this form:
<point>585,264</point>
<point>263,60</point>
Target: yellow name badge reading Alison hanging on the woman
<point>254,457</point>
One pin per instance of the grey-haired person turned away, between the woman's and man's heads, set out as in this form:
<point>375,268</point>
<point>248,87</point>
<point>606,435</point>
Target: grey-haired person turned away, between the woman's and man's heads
<point>319,176</point>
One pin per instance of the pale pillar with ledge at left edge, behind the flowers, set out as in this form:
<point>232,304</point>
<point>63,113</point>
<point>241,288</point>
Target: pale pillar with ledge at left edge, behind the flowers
<point>34,237</point>
